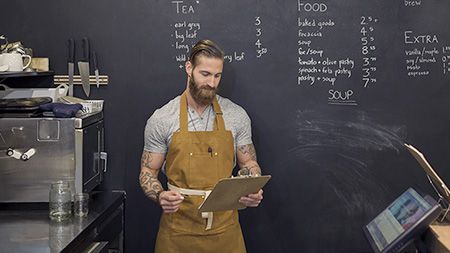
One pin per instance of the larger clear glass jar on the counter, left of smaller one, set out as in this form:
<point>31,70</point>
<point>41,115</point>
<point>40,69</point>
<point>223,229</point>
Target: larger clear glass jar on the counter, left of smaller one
<point>60,201</point>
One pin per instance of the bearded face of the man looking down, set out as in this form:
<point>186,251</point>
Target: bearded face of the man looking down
<point>204,79</point>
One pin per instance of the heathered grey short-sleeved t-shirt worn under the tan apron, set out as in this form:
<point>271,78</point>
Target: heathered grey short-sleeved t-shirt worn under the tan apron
<point>166,120</point>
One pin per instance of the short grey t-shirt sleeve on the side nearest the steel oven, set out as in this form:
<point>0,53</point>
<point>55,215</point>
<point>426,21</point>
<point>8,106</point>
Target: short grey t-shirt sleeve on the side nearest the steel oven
<point>154,135</point>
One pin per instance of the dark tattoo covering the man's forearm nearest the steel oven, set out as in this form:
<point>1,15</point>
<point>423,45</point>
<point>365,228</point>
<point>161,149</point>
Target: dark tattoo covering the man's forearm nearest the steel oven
<point>148,179</point>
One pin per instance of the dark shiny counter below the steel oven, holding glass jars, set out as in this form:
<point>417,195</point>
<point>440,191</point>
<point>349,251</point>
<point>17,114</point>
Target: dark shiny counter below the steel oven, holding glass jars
<point>32,231</point>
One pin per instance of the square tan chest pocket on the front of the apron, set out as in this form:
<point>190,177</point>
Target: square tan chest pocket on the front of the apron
<point>202,171</point>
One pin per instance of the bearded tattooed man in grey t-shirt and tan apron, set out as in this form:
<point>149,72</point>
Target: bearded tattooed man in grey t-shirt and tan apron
<point>198,135</point>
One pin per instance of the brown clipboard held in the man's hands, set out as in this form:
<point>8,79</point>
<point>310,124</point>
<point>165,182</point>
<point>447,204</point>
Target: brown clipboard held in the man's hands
<point>228,191</point>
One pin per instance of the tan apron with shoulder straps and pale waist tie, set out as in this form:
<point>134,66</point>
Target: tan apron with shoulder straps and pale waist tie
<point>194,164</point>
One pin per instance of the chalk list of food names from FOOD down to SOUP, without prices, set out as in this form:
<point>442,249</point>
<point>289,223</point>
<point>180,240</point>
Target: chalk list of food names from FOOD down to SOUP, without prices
<point>315,67</point>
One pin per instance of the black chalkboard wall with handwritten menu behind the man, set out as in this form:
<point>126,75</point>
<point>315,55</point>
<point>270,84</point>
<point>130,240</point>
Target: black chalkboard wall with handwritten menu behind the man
<point>333,88</point>
